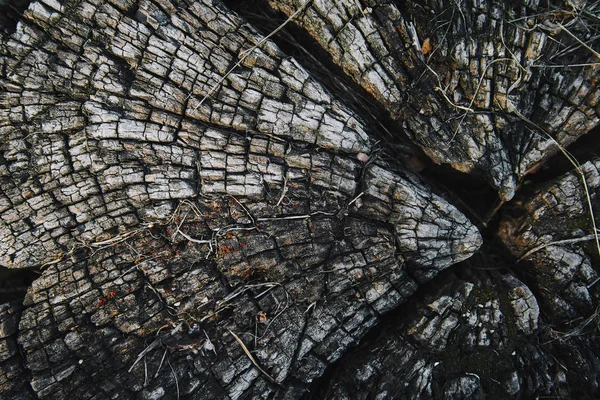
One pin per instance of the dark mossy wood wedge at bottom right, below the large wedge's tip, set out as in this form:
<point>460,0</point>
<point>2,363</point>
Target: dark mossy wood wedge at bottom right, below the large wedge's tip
<point>476,336</point>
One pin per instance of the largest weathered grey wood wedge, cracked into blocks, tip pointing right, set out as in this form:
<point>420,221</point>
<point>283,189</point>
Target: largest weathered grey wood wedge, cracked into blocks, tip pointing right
<point>166,221</point>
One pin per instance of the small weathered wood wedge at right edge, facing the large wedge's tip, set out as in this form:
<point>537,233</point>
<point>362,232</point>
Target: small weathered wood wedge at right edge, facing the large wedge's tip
<point>552,231</point>
